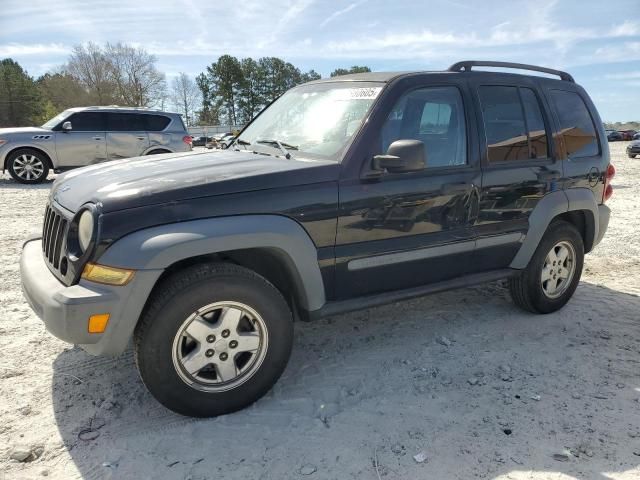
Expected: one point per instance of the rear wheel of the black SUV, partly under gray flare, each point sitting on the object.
(530, 292)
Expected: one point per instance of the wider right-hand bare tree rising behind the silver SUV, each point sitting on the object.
(139, 83)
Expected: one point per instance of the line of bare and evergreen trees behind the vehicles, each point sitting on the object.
(230, 90)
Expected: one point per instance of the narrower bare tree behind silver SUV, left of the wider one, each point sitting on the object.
(91, 67)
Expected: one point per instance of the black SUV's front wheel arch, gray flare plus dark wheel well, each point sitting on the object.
(276, 247)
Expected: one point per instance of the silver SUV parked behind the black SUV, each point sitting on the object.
(87, 135)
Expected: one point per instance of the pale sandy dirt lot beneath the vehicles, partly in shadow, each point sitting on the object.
(504, 394)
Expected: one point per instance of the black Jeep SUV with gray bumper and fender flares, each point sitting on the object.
(343, 194)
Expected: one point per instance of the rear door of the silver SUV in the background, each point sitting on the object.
(126, 135)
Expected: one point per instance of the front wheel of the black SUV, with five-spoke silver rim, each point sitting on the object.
(165, 351)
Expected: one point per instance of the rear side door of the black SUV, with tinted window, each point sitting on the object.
(519, 167)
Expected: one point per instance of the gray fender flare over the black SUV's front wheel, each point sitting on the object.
(159, 247)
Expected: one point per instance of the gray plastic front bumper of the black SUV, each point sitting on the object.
(66, 310)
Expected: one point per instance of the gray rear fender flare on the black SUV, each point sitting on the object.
(552, 205)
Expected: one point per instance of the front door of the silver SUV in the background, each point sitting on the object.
(85, 143)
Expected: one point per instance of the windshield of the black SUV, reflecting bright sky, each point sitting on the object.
(314, 121)
